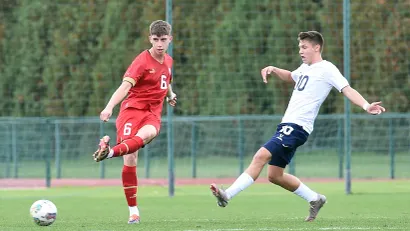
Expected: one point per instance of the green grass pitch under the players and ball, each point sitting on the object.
(372, 206)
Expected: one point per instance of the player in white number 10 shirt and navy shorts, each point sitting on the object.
(313, 81)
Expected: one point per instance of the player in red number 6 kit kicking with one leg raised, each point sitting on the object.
(146, 84)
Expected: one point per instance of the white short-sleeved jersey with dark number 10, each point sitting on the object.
(313, 84)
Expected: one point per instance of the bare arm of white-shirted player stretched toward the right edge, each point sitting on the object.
(355, 97)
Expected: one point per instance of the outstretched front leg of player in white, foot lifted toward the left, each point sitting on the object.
(246, 179)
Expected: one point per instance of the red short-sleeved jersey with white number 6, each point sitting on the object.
(150, 80)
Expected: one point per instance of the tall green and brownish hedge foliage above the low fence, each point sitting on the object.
(66, 57)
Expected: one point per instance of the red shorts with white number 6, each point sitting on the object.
(130, 120)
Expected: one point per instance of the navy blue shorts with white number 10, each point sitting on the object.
(283, 144)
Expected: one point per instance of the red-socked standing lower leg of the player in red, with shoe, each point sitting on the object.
(130, 184)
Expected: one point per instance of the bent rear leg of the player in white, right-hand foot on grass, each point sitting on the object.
(291, 183)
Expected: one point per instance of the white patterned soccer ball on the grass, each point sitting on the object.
(44, 212)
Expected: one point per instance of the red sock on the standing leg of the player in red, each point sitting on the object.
(130, 183)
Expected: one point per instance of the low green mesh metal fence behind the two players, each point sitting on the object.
(219, 146)
